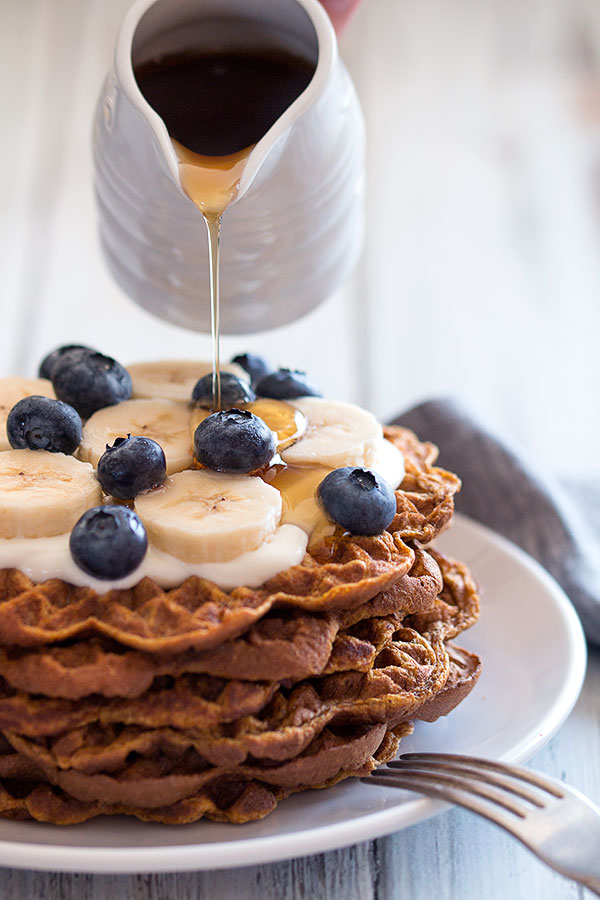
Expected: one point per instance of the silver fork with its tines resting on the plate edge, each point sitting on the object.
(556, 822)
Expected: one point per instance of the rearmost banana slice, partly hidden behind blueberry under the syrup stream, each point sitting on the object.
(173, 379)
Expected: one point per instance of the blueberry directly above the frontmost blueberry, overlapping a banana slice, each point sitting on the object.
(132, 465)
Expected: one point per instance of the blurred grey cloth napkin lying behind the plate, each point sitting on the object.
(556, 523)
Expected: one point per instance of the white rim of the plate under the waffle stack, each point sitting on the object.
(274, 848)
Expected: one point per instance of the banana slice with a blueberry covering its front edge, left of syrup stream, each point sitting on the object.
(165, 422)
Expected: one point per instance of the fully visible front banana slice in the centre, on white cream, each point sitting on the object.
(202, 516)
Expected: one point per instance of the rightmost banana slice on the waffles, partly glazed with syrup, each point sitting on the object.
(337, 434)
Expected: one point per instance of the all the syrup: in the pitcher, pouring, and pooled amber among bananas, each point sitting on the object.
(216, 107)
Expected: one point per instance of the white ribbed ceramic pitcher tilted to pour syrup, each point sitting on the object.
(294, 231)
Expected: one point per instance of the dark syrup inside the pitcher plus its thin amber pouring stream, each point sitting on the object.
(216, 107)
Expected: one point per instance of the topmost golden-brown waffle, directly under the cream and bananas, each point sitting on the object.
(338, 572)
